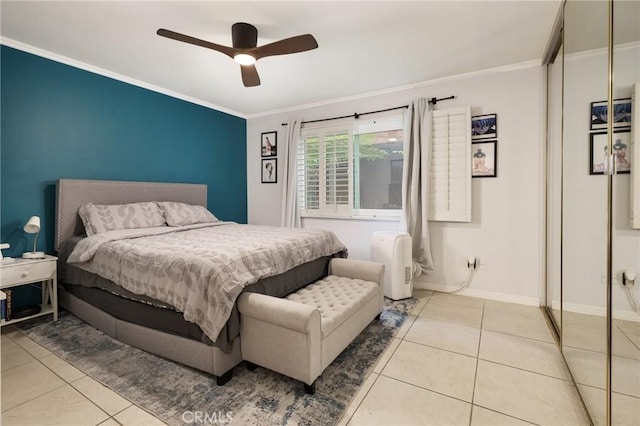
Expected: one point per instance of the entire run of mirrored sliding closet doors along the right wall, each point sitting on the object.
(593, 248)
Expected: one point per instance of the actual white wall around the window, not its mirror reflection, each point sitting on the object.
(507, 227)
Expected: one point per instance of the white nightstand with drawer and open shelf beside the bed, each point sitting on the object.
(28, 271)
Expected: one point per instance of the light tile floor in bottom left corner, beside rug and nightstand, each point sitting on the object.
(38, 388)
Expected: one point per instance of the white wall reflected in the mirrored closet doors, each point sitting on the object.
(585, 196)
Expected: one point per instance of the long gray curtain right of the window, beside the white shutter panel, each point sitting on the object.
(415, 183)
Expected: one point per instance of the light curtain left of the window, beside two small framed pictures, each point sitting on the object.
(290, 216)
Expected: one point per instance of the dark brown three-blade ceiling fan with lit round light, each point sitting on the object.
(245, 50)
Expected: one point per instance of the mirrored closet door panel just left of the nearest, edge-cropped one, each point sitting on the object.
(585, 206)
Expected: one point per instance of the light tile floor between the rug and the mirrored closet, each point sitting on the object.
(459, 360)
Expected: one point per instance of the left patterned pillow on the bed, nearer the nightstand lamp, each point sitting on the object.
(102, 218)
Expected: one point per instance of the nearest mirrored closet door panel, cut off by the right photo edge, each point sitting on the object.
(625, 333)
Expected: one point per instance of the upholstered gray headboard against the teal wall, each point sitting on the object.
(72, 193)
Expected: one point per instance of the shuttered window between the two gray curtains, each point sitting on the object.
(353, 169)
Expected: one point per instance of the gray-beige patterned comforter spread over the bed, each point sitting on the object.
(200, 269)
